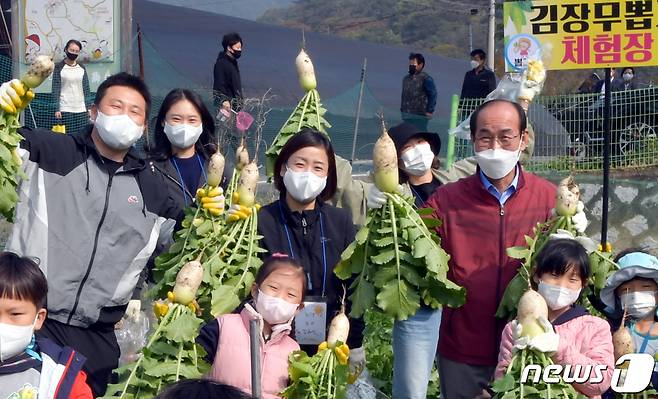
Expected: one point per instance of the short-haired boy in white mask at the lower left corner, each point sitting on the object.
(29, 366)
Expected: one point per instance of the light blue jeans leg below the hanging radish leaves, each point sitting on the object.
(414, 349)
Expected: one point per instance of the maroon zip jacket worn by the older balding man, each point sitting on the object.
(476, 231)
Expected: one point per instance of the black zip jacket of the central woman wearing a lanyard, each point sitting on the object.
(305, 238)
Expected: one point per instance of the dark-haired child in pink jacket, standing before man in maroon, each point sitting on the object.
(579, 339)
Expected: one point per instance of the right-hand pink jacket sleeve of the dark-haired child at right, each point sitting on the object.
(597, 340)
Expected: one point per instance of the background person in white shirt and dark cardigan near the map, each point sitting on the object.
(71, 92)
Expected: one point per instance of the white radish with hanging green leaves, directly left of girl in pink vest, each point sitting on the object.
(171, 353)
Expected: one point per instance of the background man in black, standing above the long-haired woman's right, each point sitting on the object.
(227, 86)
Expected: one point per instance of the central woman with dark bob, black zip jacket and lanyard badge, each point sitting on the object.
(302, 225)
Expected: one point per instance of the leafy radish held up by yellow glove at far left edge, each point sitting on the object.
(18, 96)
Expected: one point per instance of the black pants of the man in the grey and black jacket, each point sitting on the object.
(98, 345)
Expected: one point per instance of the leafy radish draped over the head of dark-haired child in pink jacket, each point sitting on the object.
(560, 226)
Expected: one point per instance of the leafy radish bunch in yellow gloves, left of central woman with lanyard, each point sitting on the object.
(226, 247)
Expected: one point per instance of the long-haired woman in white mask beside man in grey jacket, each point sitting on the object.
(182, 146)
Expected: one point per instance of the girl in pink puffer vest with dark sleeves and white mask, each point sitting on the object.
(277, 295)
